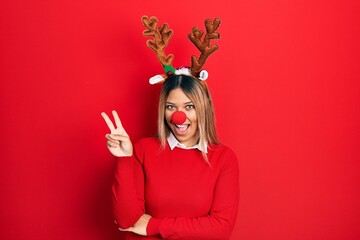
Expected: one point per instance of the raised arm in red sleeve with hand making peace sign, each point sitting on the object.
(128, 186)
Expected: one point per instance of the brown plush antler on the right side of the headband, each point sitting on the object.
(204, 47)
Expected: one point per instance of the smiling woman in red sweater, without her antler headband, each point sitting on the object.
(183, 184)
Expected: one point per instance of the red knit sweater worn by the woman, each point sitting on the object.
(186, 197)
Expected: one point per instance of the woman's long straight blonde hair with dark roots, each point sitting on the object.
(199, 95)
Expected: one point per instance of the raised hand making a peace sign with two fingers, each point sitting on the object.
(118, 142)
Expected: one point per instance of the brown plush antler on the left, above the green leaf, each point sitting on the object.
(161, 36)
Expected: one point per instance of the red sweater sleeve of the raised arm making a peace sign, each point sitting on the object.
(128, 190)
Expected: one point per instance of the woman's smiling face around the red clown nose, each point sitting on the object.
(186, 133)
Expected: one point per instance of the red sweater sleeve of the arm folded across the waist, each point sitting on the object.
(219, 222)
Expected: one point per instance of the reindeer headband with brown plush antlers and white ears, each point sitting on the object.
(162, 36)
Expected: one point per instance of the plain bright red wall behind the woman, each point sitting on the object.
(285, 83)
